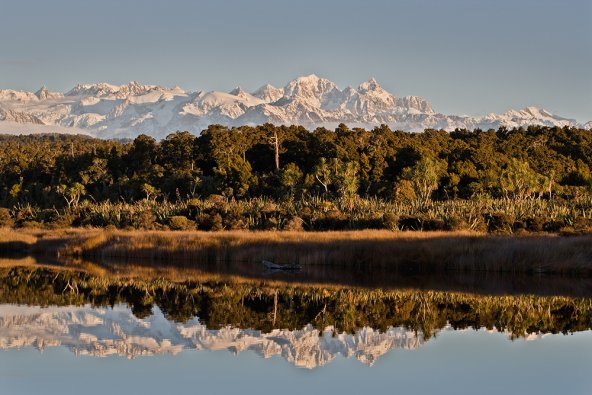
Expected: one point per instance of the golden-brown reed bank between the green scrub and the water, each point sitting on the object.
(408, 252)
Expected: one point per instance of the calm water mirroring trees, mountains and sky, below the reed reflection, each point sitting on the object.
(97, 336)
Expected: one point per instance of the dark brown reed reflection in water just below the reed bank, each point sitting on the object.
(485, 283)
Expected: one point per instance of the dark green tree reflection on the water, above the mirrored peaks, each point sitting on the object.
(267, 305)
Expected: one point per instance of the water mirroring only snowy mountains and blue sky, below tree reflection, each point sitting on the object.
(72, 350)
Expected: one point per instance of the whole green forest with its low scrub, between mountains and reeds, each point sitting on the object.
(287, 177)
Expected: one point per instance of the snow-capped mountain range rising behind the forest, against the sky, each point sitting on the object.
(107, 111)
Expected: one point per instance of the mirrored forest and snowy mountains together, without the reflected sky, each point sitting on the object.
(308, 325)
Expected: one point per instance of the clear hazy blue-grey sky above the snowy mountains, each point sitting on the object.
(465, 56)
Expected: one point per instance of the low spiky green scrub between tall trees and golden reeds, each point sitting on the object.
(496, 216)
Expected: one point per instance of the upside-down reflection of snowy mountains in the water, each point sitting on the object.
(116, 331)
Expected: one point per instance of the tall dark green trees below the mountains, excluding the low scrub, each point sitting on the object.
(287, 163)
